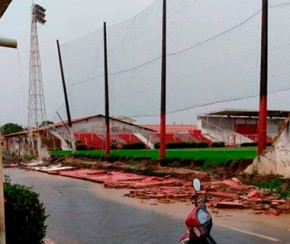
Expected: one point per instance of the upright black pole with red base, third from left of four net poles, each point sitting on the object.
(162, 151)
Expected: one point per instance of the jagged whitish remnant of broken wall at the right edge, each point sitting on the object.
(276, 160)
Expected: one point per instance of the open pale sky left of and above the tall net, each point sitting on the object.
(66, 20)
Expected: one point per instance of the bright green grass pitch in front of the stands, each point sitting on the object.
(207, 154)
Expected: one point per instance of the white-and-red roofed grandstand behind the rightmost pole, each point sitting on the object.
(236, 127)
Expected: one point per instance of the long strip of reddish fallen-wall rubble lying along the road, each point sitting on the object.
(229, 193)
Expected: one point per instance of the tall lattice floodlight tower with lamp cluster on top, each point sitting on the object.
(36, 104)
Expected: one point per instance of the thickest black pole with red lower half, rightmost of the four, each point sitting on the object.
(262, 134)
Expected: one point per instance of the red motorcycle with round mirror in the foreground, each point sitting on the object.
(198, 222)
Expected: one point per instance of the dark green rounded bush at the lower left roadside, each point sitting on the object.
(24, 215)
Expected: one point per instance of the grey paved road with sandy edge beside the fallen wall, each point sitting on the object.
(83, 213)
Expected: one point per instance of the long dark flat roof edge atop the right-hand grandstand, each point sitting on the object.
(249, 113)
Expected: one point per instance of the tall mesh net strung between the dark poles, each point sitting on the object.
(213, 58)
